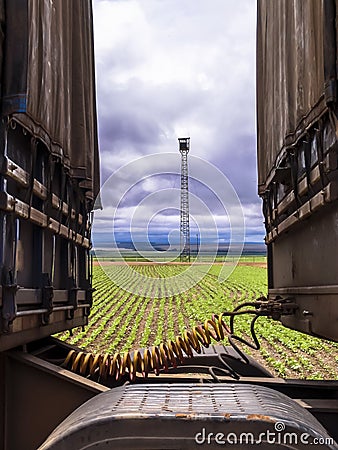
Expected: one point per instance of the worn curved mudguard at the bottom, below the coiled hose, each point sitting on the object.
(171, 416)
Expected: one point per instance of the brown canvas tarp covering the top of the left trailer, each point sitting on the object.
(48, 82)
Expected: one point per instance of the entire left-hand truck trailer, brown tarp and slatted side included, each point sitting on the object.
(49, 167)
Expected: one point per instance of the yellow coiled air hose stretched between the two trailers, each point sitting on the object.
(169, 354)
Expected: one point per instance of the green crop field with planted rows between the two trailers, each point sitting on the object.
(147, 315)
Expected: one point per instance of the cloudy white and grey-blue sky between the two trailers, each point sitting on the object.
(167, 69)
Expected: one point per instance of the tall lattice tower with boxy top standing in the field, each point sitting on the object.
(184, 145)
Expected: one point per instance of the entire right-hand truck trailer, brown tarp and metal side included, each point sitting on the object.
(297, 157)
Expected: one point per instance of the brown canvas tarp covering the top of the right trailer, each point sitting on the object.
(290, 75)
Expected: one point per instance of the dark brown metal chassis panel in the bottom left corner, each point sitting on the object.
(35, 396)
